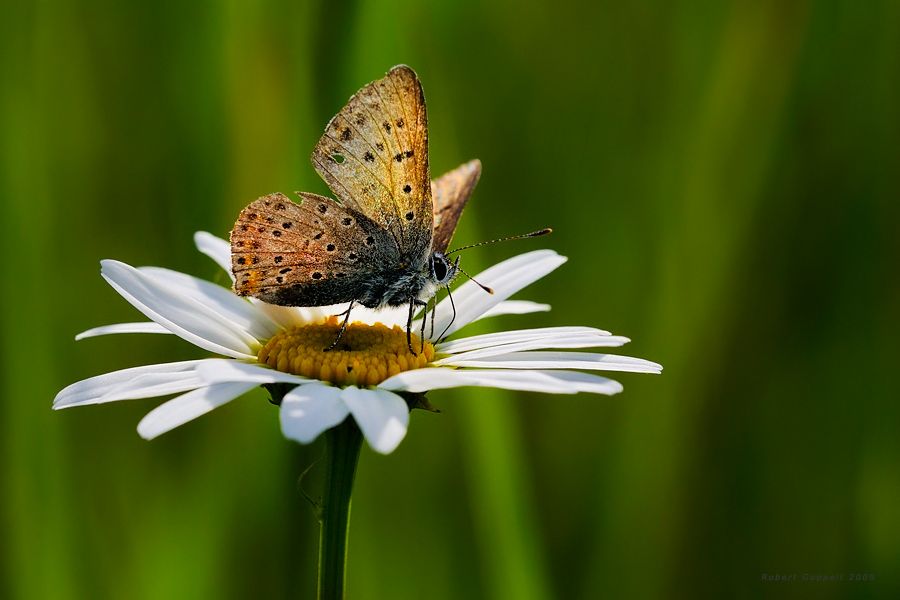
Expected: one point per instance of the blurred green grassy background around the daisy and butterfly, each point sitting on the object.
(722, 175)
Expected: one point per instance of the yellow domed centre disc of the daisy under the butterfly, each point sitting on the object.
(366, 354)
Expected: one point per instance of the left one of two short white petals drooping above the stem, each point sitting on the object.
(309, 410)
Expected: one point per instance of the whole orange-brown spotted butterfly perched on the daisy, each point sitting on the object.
(383, 242)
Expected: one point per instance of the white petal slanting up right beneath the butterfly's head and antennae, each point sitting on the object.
(505, 279)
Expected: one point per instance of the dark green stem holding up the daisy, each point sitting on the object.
(342, 445)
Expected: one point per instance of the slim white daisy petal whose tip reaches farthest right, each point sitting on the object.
(559, 360)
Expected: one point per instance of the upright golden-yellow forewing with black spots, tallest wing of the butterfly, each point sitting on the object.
(374, 156)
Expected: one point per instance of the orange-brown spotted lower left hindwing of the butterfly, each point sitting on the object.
(312, 254)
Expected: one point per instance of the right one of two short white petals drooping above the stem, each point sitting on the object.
(382, 416)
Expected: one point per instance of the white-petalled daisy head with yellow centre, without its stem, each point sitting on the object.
(364, 376)
